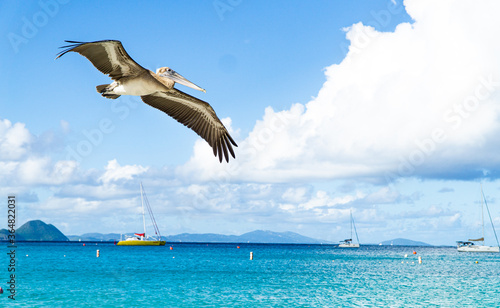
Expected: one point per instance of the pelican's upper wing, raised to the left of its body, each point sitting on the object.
(109, 57)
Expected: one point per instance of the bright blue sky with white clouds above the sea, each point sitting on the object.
(386, 109)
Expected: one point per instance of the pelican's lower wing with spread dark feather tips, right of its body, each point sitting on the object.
(197, 115)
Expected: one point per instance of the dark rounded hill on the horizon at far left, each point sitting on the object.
(37, 230)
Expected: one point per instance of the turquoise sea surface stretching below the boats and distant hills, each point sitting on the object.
(222, 275)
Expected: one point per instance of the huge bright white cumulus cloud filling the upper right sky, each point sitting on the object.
(423, 100)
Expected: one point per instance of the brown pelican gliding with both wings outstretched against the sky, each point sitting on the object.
(155, 89)
